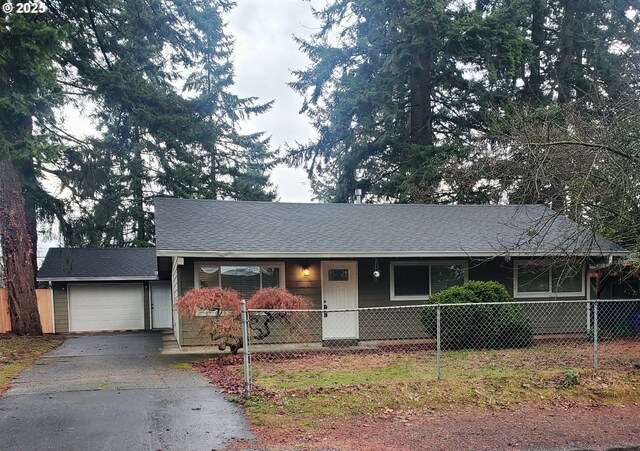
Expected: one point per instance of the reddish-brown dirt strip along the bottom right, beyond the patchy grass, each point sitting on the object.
(524, 428)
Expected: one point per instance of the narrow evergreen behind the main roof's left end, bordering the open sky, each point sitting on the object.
(235, 164)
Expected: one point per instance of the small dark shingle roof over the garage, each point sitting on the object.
(99, 264)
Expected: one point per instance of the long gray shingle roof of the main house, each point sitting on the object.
(235, 229)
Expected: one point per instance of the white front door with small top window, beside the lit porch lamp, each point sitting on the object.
(339, 291)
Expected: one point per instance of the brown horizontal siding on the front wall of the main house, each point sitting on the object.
(393, 323)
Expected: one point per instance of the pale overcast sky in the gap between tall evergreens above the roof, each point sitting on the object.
(264, 55)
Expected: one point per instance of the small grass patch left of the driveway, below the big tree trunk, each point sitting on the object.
(17, 353)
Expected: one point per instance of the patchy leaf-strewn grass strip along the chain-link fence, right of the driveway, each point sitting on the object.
(318, 387)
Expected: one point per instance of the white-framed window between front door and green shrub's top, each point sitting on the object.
(415, 281)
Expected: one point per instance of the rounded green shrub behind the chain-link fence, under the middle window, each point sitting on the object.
(478, 326)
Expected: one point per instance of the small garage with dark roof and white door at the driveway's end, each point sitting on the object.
(96, 290)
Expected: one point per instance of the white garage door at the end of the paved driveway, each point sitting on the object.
(106, 307)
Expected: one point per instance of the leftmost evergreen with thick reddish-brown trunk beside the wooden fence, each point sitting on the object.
(28, 92)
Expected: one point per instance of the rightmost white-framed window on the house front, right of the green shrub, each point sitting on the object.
(537, 279)
